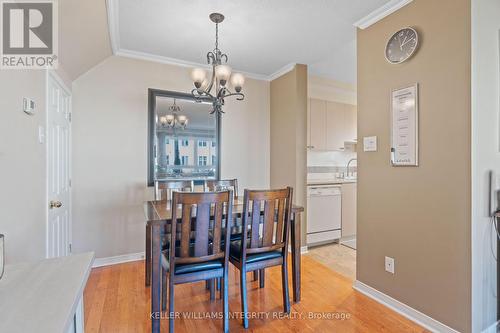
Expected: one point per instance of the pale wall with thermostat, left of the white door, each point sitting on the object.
(22, 166)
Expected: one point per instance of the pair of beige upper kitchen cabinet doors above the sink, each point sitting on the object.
(330, 125)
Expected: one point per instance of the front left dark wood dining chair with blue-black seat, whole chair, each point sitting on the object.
(194, 255)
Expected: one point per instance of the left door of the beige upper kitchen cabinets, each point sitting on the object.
(317, 125)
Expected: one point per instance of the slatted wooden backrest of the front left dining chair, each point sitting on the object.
(201, 217)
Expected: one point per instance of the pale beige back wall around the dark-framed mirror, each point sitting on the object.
(110, 148)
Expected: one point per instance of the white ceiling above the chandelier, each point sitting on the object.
(259, 36)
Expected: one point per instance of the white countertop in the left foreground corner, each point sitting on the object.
(43, 296)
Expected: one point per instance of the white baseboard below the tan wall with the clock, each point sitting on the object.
(403, 309)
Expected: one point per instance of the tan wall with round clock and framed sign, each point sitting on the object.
(419, 215)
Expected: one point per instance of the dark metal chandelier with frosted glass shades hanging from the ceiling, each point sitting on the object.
(221, 74)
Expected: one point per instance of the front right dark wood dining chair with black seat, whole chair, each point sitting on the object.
(265, 246)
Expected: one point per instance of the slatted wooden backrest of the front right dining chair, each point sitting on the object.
(275, 223)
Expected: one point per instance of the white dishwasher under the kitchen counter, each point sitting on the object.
(324, 213)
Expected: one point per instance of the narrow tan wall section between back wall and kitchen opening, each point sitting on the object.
(289, 134)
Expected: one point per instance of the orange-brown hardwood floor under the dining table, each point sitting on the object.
(116, 300)
